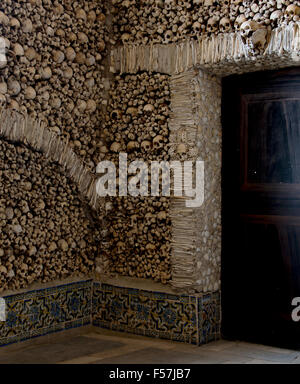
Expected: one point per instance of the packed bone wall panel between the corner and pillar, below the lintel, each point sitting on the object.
(137, 242)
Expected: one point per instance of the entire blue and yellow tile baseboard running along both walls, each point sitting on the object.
(186, 318)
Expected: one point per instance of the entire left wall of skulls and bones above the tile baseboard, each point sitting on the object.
(55, 71)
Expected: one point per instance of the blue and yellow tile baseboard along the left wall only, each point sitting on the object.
(44, 311)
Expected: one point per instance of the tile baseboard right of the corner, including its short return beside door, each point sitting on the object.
(185, 318)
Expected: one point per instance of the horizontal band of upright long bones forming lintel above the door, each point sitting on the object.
(222, 54)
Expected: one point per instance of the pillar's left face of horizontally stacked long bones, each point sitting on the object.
(184, 225)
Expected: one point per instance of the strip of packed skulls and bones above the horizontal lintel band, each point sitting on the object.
(169, 21)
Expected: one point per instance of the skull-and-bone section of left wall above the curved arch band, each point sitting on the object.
(54, 69)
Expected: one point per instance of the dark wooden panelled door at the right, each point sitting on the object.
(261, 207)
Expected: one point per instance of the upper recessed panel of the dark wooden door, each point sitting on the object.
(278, 159)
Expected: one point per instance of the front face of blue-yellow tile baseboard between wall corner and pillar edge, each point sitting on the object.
(145, 312)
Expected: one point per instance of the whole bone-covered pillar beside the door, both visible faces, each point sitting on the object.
(195, 121)
